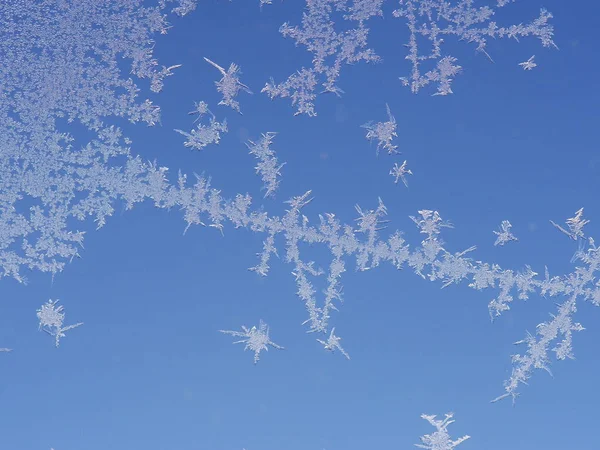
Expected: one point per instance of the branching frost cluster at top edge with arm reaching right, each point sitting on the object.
(434, 20)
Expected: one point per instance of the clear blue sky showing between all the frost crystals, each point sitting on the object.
(149, 370)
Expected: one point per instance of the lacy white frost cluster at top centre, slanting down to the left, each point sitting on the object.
(331, 49)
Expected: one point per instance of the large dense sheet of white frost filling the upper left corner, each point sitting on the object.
(63, 63)
